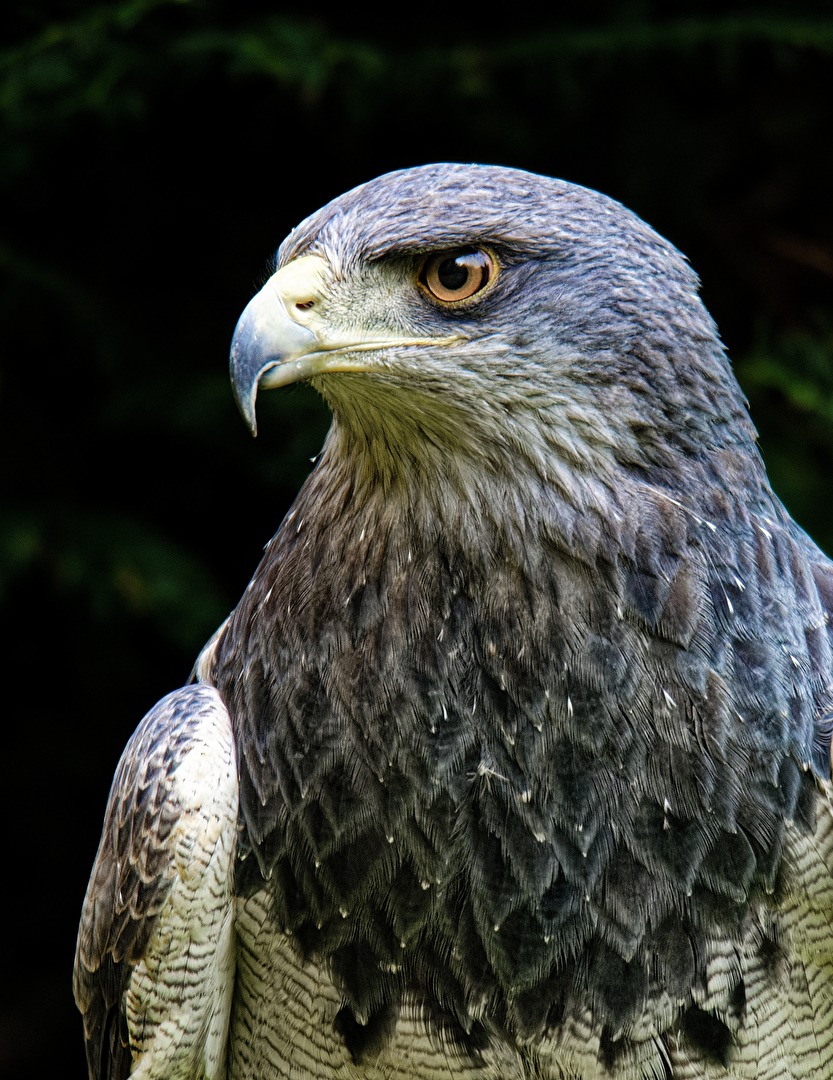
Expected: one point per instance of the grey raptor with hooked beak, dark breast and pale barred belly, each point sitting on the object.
(514, 760)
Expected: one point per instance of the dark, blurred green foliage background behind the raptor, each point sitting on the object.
(153, 156)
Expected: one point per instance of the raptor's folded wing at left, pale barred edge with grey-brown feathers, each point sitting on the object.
(154, 967)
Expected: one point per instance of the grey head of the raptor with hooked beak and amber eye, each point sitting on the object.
(487, 315)
